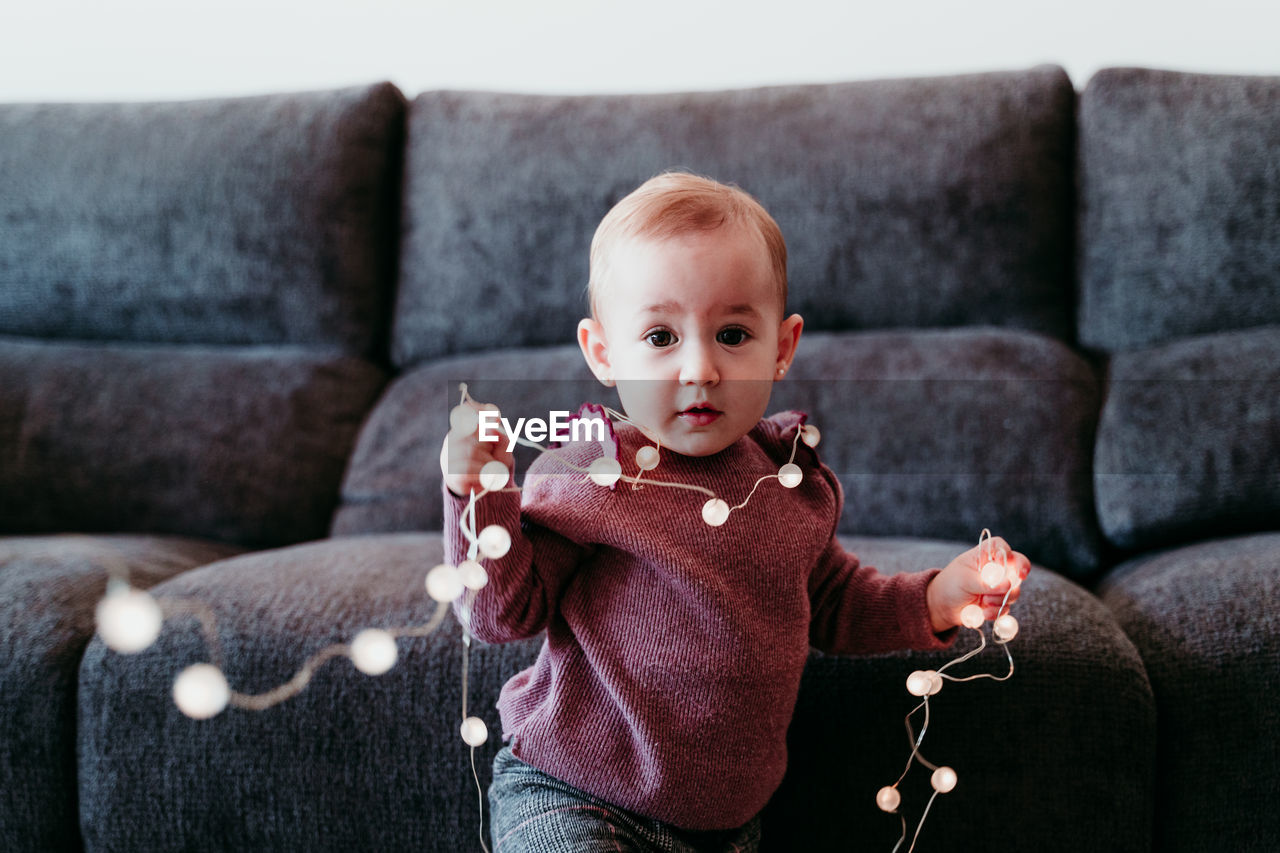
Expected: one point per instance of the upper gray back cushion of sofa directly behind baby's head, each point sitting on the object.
(906, 203)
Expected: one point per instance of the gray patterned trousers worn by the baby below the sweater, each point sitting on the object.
(533, 813)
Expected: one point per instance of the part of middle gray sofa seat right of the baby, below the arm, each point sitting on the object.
(1059, 758)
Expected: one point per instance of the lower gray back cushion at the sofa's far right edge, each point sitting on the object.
(1190, 440)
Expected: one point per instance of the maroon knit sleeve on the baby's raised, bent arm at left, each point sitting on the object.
(547, 546)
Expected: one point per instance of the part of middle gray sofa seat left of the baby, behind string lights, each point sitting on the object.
(354, 763)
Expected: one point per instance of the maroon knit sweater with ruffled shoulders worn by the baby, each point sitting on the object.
(674, 650)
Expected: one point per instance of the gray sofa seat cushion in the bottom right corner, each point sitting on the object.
(1205, 621)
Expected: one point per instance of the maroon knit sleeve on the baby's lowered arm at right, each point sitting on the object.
(857, 610)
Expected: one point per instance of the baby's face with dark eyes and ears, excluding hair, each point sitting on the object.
(692, 331)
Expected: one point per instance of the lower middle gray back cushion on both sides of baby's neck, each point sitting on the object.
(934, 434)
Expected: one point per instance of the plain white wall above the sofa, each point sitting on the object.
(177, 49)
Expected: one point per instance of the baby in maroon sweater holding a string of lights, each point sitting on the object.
(657, 713)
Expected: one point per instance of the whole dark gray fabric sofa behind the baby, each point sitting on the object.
(231, 332)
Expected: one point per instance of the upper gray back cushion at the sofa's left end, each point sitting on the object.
(266, 220)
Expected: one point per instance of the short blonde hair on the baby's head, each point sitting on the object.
(680, 203)
